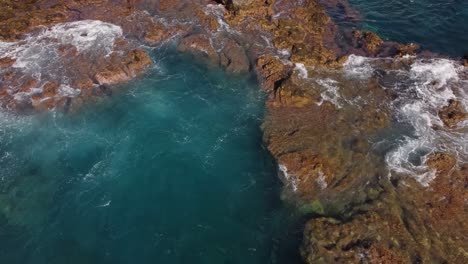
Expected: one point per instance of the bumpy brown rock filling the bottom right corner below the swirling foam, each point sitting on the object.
(406, 224)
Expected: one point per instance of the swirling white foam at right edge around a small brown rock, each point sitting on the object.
(430, 89)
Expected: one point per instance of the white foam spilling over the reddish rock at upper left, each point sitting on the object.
(38, 55)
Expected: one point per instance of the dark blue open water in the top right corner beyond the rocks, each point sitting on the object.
(437, 25)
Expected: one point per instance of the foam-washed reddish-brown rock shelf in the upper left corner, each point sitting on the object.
(91, 44)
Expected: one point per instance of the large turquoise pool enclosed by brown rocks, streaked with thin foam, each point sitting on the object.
(169, 170)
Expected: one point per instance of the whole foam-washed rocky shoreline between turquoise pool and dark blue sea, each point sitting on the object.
(329, 108)
